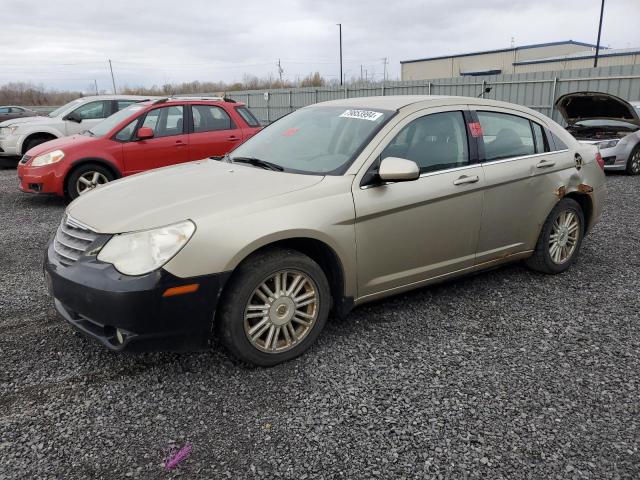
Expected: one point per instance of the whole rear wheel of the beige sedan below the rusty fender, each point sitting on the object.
(546, 258)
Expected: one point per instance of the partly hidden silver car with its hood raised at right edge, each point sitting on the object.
(608, 122)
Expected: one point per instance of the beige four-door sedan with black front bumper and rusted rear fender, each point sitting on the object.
(332, 206)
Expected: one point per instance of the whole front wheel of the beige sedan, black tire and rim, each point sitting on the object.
(278, 328)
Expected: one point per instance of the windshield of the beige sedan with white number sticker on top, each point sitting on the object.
(317, 140)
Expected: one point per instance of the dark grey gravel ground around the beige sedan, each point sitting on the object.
(504, 375)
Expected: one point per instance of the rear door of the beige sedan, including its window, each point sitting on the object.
(522, 177)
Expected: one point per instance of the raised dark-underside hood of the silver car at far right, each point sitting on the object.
(594, 106)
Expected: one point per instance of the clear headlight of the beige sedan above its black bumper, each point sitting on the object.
(138, 253)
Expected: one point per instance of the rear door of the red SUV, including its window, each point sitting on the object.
(212, 132)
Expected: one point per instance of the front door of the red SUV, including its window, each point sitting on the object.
(169, 145)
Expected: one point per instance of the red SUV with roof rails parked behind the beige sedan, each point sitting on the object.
(143, 136)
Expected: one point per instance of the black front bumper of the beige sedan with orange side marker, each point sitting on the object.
(130, 312)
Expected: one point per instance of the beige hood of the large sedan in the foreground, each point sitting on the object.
(193, 190)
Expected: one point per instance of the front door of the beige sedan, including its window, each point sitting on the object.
(409, 232)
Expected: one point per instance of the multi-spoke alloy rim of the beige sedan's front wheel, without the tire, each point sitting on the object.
(281, 311)
